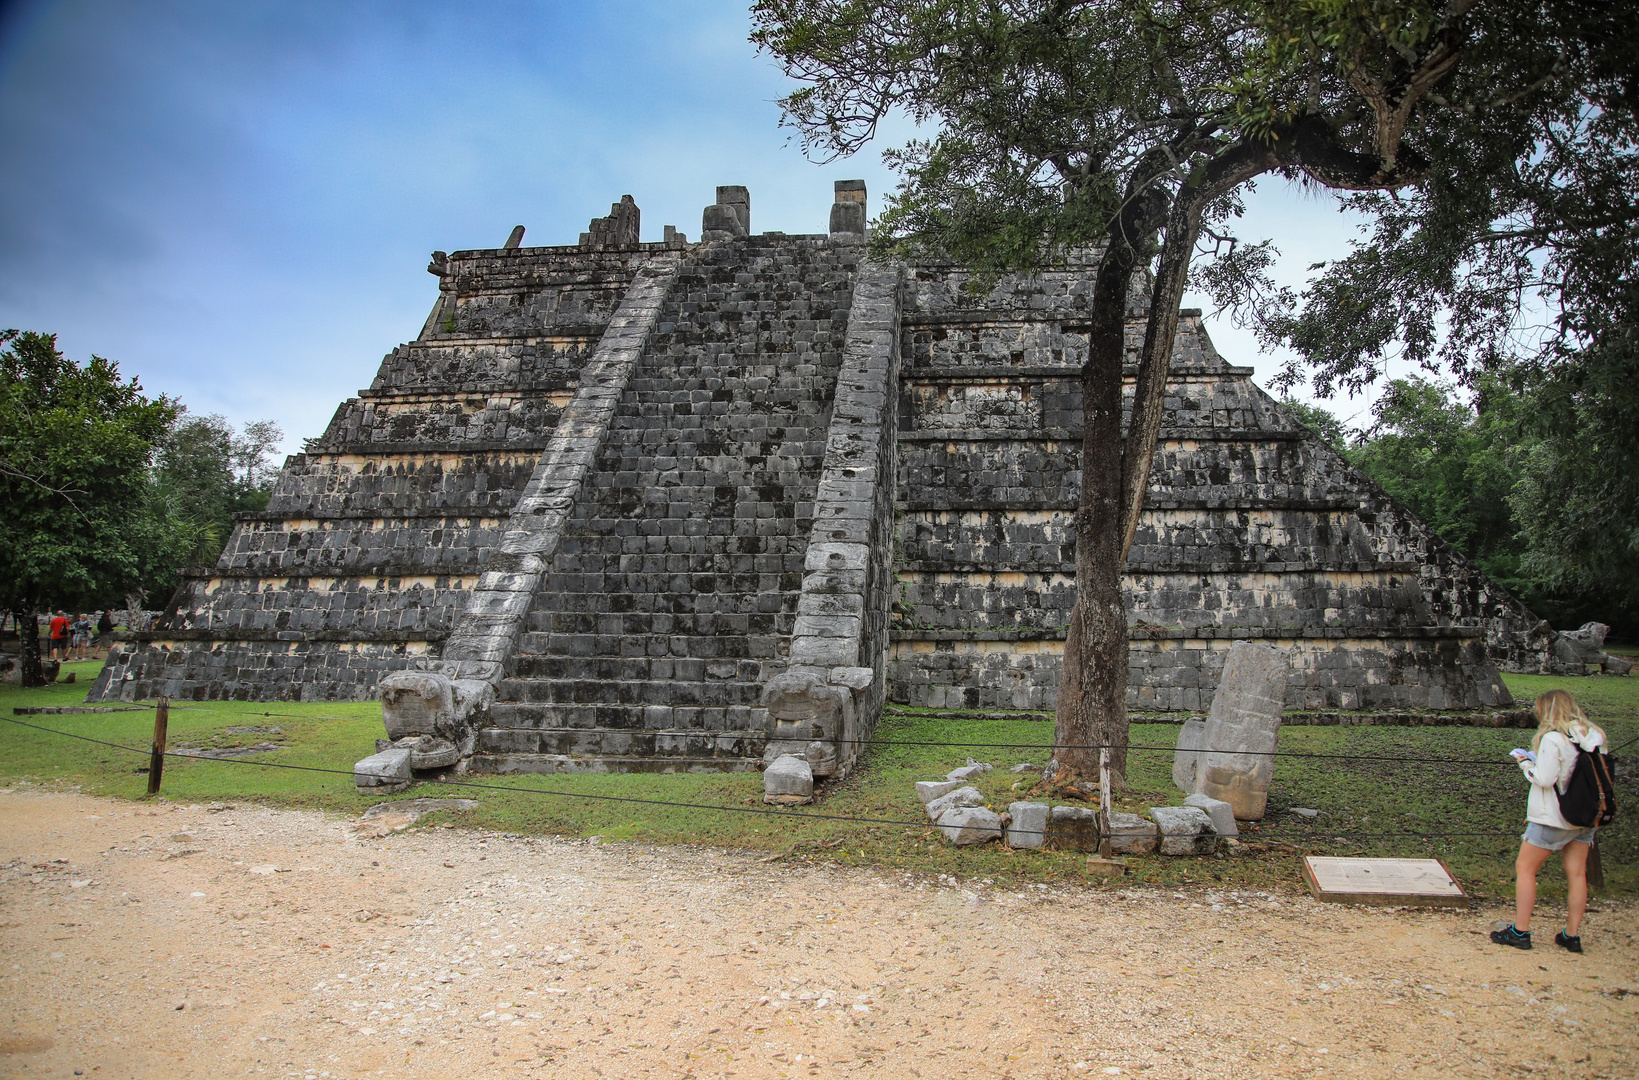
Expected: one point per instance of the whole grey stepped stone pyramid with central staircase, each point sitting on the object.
(671, 506)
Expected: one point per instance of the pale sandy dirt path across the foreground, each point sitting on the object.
(179, 942)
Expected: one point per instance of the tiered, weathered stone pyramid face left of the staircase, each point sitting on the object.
(376, 533)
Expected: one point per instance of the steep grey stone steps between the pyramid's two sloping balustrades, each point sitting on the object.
(674, 591)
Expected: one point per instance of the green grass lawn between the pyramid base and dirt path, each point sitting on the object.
(1361, 797)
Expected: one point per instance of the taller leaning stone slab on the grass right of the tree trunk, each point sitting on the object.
(1242, 730)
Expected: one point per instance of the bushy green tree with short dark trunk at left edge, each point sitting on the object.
(76, 445)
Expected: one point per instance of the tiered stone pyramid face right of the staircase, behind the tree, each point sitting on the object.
(1253, 529)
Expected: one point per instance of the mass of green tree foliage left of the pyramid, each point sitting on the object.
(109, 491)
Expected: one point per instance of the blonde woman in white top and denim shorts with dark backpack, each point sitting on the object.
(1563, 732)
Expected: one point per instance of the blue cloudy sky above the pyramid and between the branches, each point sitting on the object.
(237, 201)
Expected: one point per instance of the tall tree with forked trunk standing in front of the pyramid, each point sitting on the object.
(1128, 127)
